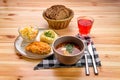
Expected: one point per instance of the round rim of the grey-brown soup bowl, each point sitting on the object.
(81, 51)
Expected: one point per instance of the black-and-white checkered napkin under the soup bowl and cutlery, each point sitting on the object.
(52, 62)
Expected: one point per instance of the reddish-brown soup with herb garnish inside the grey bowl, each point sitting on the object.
(68, 48)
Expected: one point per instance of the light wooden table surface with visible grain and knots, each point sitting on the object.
(105, 33)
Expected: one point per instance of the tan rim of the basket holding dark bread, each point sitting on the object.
(70, 17)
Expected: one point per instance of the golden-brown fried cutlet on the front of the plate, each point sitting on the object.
(38, 48)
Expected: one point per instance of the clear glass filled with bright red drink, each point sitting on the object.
(85, 24)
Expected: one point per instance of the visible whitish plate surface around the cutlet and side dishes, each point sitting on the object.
(20, 47)
